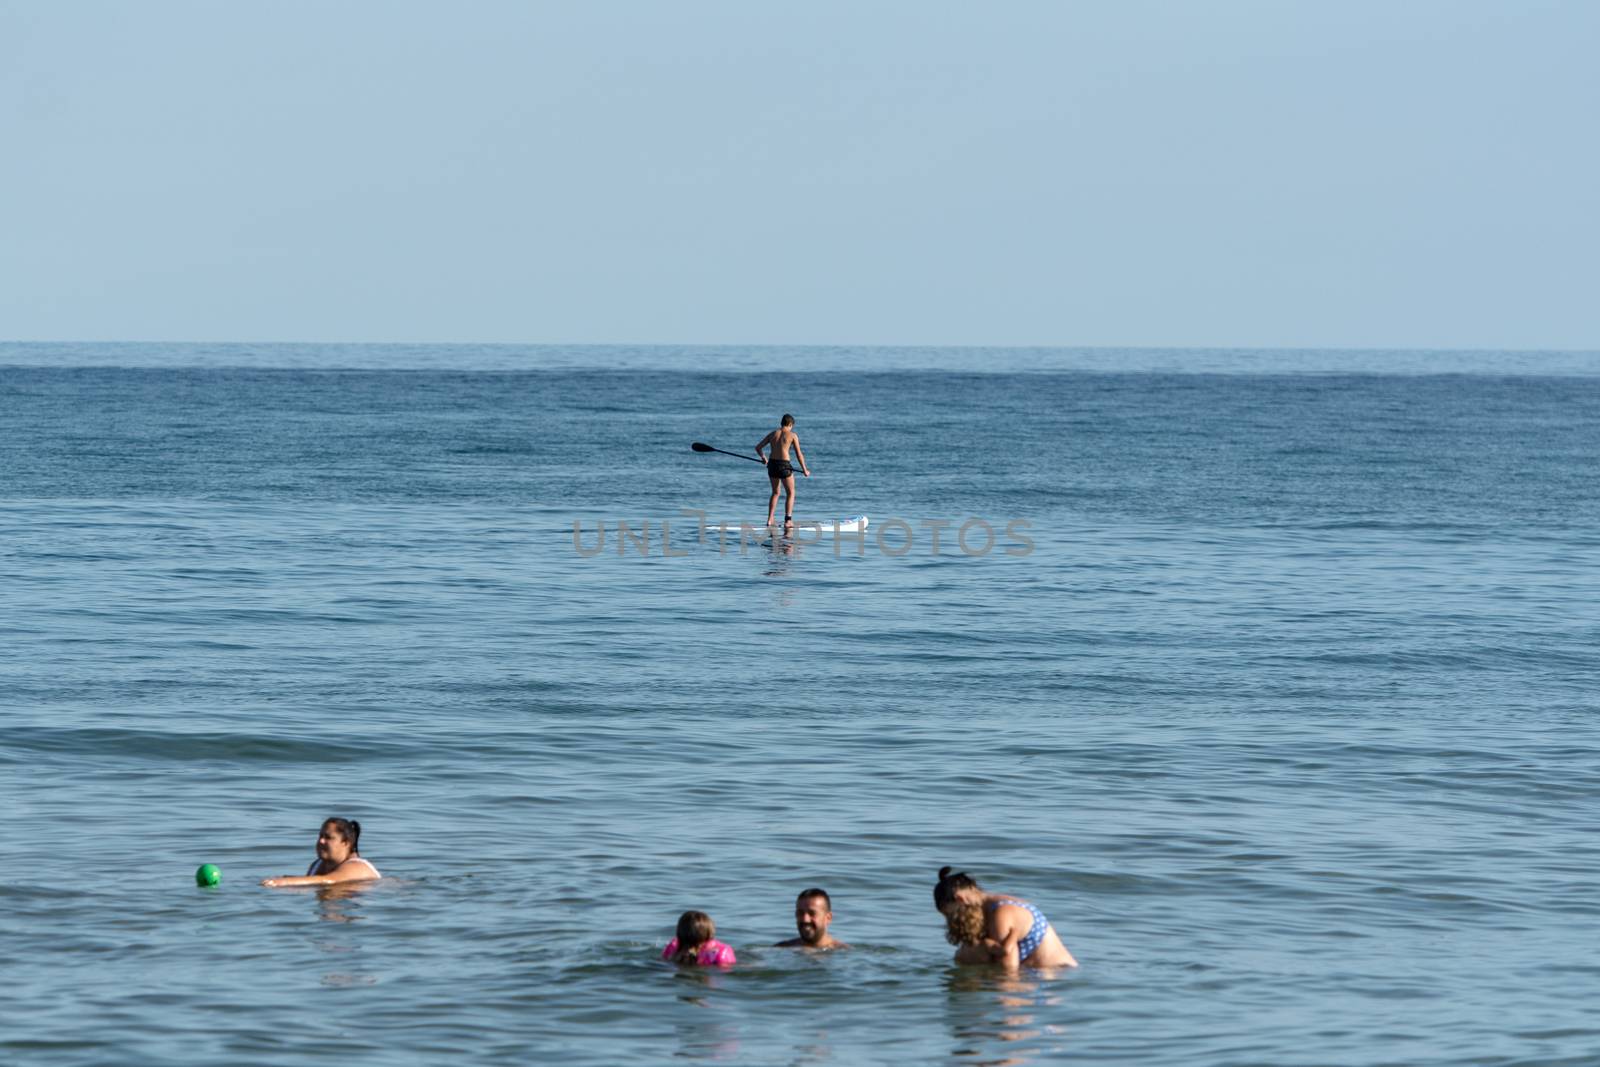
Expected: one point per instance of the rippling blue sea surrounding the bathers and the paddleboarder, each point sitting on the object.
(1270, 676)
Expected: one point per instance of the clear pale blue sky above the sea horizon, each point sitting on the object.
(1124, 174)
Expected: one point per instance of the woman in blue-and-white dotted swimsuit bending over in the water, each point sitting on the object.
(994, 927)
